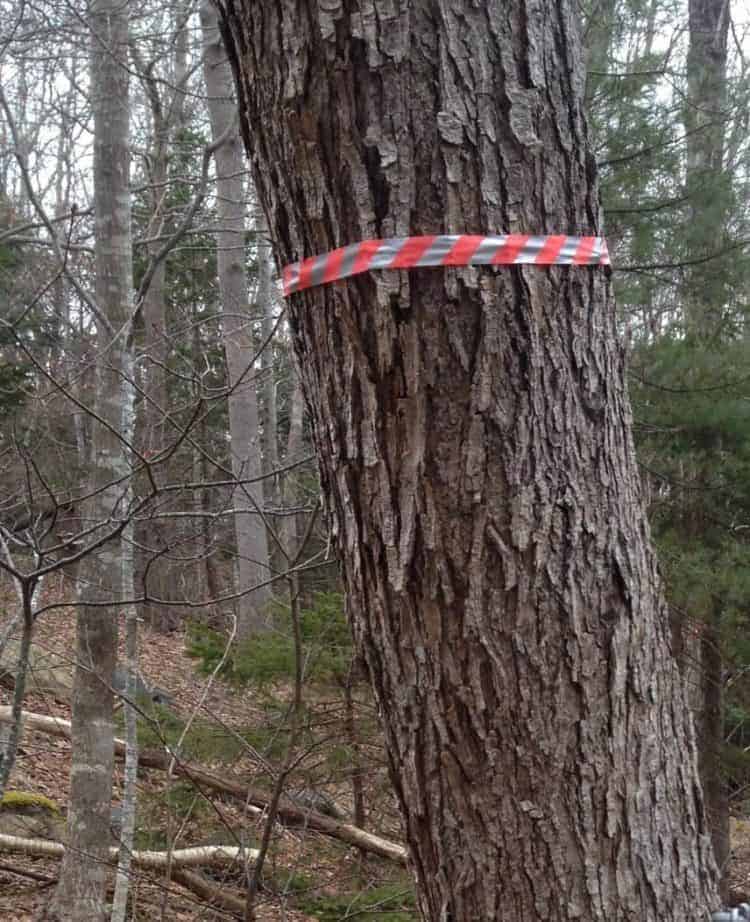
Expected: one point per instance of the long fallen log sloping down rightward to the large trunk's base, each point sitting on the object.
(288, 813)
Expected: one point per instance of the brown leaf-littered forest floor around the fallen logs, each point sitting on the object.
(303, 869)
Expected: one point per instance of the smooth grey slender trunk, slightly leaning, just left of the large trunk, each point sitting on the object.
(252, 542)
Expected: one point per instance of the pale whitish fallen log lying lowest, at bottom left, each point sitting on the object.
(199, 856)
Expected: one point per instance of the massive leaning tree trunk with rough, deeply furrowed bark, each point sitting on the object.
(473, 434)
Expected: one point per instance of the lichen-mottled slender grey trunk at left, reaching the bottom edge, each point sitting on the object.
(80, 895)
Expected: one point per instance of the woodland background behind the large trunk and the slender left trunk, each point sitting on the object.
(248, 701)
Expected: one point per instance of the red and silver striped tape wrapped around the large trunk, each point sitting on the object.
(444, 250)
